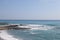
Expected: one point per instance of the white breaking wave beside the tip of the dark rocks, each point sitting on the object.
(36, 27)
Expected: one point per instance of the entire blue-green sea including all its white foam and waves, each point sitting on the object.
(40, 30)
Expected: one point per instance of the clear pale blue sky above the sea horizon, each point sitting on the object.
(30, 9)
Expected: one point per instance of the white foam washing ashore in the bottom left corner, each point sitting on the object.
(6, 36)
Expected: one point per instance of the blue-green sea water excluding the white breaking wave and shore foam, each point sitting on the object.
(49, 34)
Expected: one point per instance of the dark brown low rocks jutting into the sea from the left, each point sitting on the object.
(14, 26)
